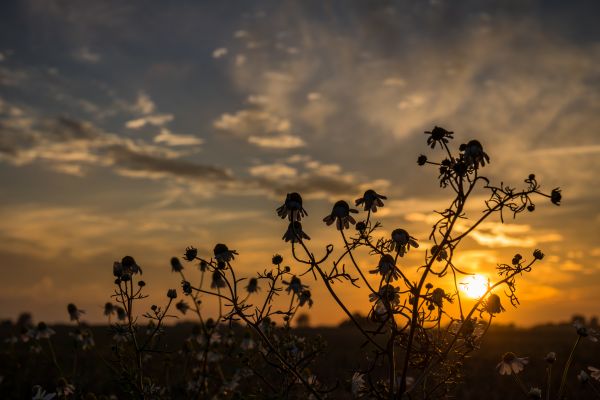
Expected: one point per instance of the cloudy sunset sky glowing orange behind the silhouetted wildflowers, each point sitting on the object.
(143, 127)
